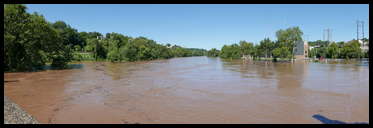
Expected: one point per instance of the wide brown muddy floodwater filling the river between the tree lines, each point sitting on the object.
(194, 90)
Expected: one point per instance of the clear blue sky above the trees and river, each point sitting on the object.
(210, 25)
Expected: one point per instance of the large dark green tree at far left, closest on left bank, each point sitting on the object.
(29, 40)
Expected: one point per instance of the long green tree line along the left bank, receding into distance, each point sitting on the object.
(30, 42)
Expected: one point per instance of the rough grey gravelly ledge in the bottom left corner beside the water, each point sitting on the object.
(13, 114)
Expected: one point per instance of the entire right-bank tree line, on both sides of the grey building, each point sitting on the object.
(283, 48)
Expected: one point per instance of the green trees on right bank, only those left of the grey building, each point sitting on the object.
(282, 48)
